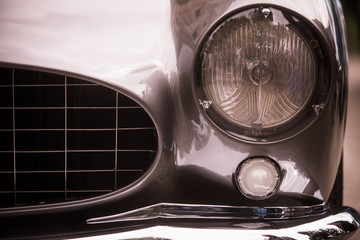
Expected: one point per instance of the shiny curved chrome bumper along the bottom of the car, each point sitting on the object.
(339, 225)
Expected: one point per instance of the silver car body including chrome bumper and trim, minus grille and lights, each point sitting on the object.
(147, 50)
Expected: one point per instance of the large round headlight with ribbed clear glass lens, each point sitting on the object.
(259, 71)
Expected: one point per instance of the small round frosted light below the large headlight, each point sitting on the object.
(258, 178)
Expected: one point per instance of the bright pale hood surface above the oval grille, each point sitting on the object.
(103, 40)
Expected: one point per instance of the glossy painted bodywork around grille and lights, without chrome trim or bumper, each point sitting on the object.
(147, 49)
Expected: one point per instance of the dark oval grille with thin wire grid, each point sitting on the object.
(65, 139)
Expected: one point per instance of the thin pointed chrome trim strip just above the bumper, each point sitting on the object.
(173, 210)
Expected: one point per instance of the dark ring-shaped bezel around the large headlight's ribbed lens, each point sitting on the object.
(311, 109)
